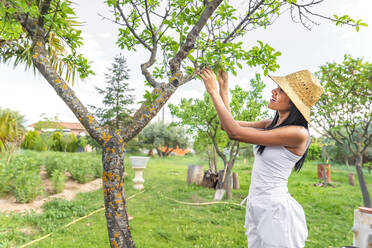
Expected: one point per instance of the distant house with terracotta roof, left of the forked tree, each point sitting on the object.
(66, 127)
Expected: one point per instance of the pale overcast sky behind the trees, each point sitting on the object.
(32, 96)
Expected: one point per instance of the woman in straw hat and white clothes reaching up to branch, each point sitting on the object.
(273, 217)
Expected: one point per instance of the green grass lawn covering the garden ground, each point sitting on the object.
(160, 222)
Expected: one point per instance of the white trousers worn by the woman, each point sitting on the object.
(275, 221)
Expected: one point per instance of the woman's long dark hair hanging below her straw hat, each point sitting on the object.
(294, 118)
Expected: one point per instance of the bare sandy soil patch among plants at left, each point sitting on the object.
(8, 203)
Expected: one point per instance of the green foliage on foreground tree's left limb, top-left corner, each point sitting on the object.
(59, 27)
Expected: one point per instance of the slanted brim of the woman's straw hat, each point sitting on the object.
(284, 84)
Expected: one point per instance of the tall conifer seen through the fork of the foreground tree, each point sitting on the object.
(116, 98)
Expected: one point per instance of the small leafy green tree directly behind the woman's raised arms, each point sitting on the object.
(200, 116)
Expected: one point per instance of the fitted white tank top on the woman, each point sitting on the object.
(271, 170)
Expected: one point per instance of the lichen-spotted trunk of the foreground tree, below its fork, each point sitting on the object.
(114, 195)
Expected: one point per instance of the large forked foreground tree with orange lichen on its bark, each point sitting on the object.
(43, 35)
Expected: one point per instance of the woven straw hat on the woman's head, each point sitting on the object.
(303, 88)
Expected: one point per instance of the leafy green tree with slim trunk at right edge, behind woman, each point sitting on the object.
(343, 113)
